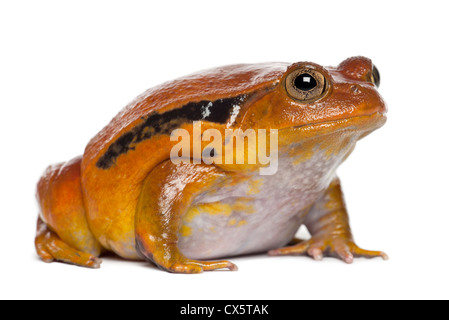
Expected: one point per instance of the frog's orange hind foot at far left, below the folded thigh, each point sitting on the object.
(51, 248)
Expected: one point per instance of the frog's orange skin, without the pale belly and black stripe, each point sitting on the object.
(125, 203)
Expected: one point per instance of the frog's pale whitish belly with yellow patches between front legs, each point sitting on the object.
(257, 215)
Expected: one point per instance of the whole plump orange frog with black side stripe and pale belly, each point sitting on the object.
(126, 196)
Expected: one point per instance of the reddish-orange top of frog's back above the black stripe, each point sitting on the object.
(209, 85)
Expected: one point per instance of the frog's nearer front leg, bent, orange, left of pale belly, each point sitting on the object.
(167, 194)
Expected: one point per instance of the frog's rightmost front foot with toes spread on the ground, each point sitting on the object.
(318, 247)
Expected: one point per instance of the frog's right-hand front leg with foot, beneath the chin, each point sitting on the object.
(328, 224)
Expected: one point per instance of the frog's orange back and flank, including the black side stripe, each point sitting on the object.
(119, 157)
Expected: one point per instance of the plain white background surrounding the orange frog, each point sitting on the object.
(67, 67)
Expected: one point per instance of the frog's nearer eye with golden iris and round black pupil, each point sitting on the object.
(306, 84)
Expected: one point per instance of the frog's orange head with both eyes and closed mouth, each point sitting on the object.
(323, 100)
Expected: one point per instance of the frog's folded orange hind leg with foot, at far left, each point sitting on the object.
(63, 233)
